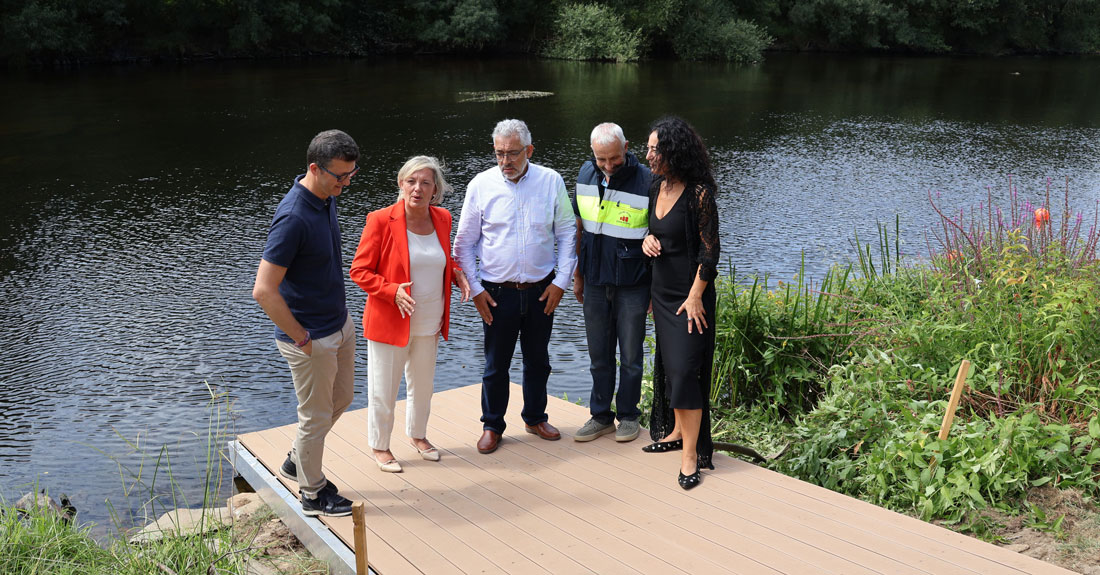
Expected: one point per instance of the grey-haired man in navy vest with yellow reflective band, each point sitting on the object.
(612, 279)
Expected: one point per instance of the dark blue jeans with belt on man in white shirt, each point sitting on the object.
(519, 315)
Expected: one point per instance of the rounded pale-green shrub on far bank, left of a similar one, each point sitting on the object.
(592, 32)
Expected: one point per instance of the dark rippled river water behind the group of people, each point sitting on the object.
(137, 202)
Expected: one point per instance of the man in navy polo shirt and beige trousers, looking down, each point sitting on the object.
(300, 285)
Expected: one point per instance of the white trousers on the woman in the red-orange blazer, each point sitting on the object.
(387, 364)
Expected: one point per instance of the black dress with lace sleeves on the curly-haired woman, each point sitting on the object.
(689, 236)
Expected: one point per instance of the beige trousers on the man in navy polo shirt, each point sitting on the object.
(325, 383)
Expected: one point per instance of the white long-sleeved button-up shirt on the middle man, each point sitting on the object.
(512, 229)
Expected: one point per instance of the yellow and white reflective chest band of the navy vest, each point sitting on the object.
(619, 215)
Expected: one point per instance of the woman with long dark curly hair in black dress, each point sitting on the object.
(684, 242)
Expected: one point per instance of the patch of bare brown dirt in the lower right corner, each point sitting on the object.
(1074, 544)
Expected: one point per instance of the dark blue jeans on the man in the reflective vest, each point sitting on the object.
(615, 315)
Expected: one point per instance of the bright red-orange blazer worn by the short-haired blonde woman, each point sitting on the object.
(382, 263)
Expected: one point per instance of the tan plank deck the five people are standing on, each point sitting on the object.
(563, 507)
